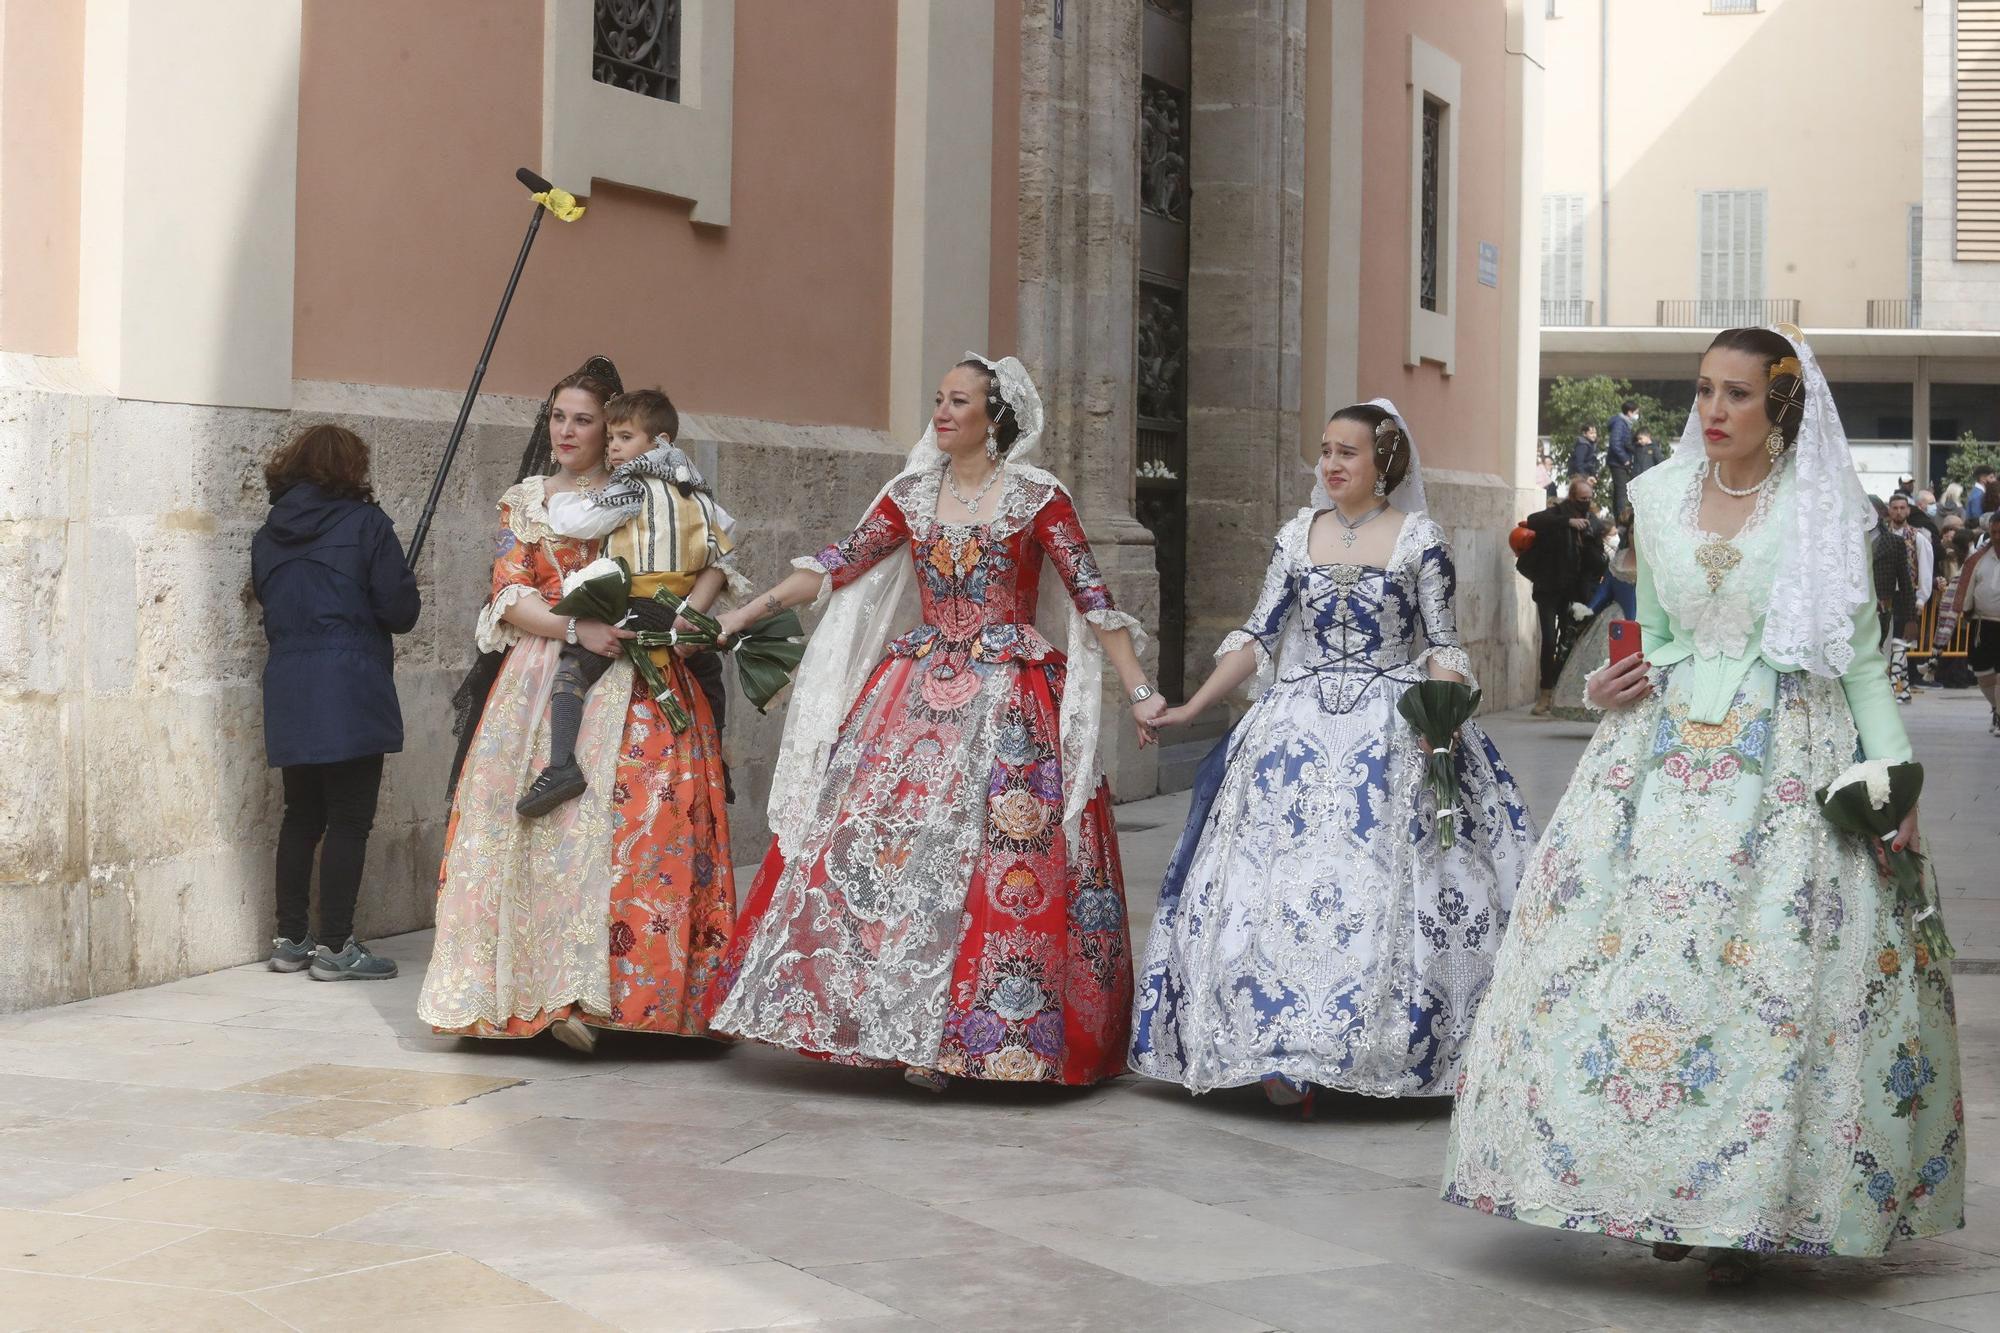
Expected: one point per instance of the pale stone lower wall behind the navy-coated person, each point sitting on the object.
(139, 826)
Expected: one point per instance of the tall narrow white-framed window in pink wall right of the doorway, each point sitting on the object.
(1435, 107)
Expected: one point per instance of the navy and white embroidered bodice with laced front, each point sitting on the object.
(1349, 625)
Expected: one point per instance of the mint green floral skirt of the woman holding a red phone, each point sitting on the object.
(1709, 1020)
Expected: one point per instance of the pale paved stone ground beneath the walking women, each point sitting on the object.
(259, 1152)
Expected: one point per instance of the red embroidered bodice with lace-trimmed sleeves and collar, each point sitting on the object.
(977, 583)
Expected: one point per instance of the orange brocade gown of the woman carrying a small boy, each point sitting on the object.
(615, 908)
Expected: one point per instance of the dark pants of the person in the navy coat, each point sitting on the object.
(333, 804)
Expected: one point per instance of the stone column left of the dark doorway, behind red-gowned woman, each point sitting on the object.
(1079, 299)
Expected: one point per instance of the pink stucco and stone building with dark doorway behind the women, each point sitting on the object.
(1201, 223)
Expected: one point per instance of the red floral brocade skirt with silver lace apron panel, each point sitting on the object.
(939, 914)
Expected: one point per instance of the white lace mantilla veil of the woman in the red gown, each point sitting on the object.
(865, 615)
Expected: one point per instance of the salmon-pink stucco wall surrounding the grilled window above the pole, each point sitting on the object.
(413, 119)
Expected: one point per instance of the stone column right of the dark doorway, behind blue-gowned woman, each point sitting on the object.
(1249, 167)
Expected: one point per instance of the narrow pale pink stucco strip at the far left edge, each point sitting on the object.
(41, 173)
